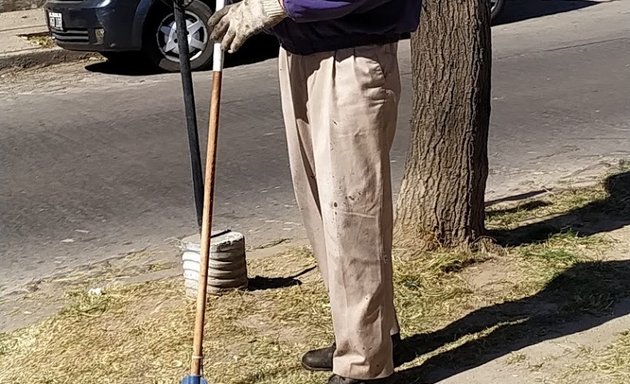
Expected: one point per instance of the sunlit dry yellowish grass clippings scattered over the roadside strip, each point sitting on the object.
(143, 333)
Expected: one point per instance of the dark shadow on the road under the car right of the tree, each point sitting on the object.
(518, 10)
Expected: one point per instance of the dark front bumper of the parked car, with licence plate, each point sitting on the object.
(94, 25)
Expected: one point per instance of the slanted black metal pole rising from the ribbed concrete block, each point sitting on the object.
(189, 105)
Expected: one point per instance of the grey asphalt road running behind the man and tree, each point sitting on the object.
(94, 163)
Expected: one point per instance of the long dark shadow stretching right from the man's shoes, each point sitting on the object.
(584, 296)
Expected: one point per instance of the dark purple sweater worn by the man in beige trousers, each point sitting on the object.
(327, 25)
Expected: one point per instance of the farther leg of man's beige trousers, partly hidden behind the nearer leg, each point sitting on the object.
(293, 89)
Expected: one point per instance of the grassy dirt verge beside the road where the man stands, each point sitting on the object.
(548, 302)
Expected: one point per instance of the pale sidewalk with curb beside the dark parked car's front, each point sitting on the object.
(16, 52)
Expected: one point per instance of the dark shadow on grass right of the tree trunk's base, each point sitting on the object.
(596, 217)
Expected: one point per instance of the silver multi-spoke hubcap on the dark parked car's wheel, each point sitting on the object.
(167, 37)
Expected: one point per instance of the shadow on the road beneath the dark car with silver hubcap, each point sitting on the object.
(258, 49)
